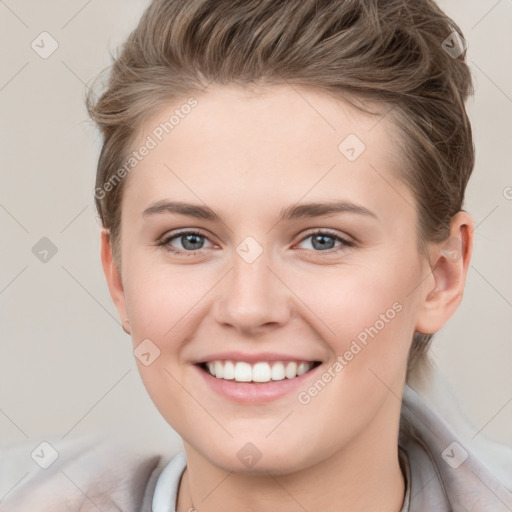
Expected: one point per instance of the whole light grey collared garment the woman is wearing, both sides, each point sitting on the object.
(92, 474)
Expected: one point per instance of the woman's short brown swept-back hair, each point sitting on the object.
(393, 53)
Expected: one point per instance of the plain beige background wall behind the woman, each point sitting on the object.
(66, 367)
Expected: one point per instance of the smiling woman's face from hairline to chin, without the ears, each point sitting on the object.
(245, 281)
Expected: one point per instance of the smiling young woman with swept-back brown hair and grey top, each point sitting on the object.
(281, 188)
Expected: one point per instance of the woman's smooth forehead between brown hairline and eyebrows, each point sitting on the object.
(278, 142)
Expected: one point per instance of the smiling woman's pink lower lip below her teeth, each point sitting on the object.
(254, 392)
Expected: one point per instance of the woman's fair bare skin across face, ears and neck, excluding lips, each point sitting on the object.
(247, 155)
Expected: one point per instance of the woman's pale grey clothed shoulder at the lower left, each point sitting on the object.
(79, 475)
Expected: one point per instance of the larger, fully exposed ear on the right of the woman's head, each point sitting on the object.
(449, 259)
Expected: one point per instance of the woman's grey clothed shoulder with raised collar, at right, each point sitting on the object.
(445, 466)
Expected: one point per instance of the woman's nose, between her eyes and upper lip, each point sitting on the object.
(253, 298)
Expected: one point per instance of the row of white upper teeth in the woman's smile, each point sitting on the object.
(258, 372)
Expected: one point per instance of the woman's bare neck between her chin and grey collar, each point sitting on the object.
(362, 476)
